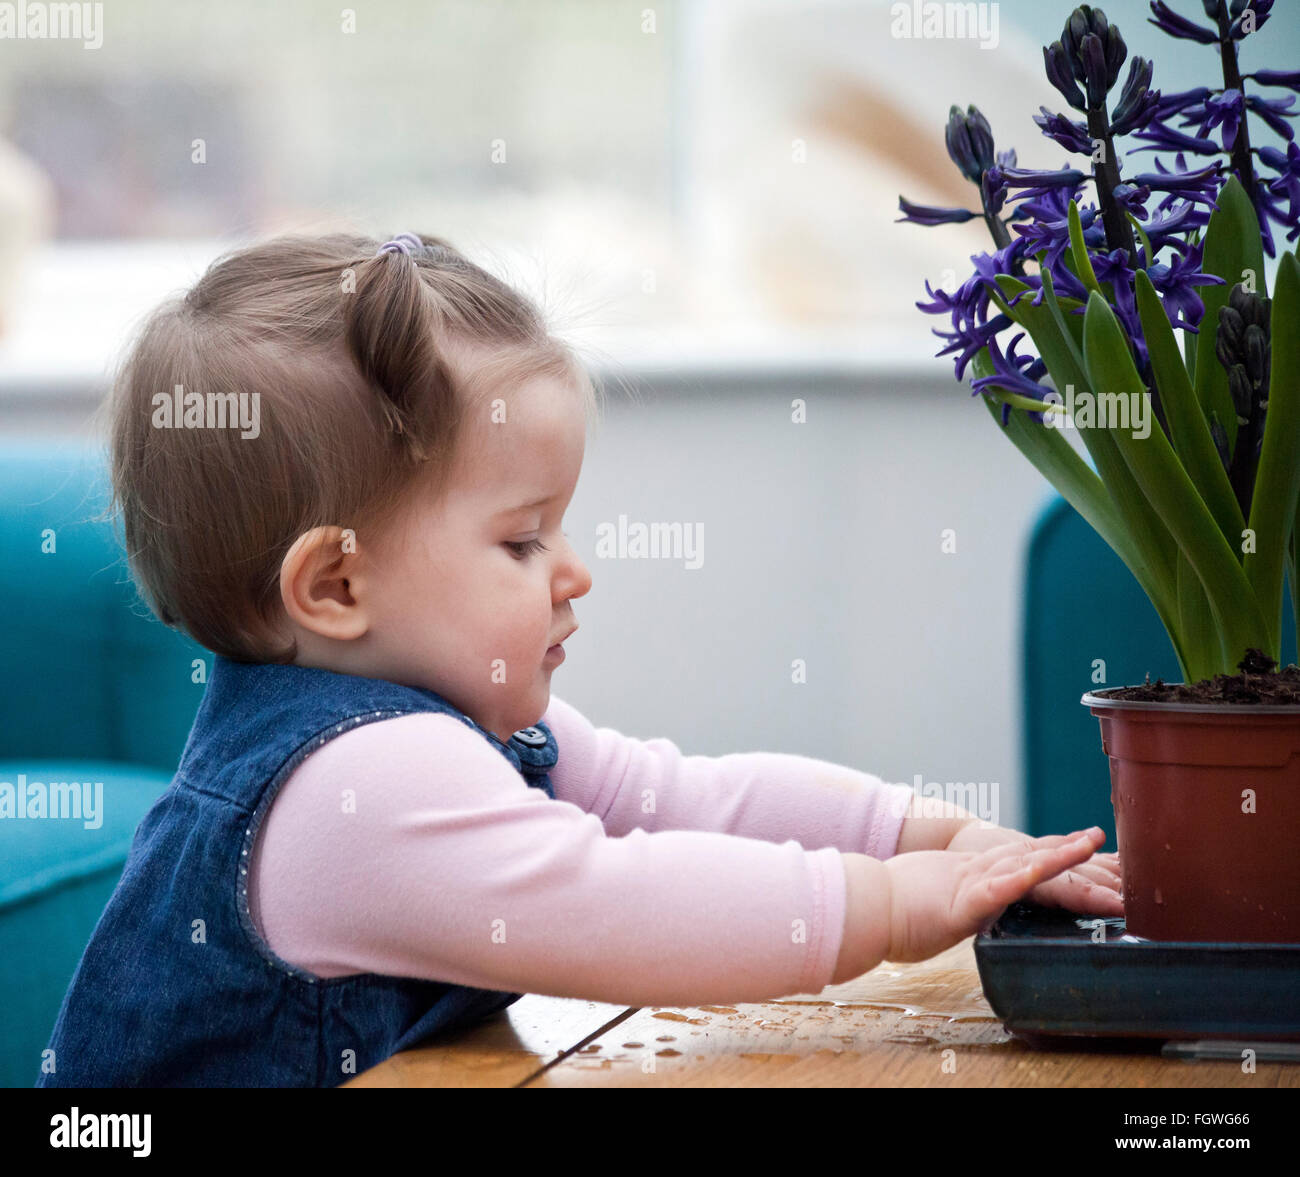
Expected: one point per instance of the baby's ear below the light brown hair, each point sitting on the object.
(318, 585)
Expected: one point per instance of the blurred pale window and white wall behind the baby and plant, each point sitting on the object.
(703, 196)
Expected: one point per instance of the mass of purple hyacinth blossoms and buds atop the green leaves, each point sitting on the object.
(1085, 67)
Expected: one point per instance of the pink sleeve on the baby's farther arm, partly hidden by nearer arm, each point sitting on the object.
(632, 784)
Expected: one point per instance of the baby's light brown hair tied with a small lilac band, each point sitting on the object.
(367, 367)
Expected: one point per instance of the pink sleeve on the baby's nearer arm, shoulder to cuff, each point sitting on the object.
(448, 867)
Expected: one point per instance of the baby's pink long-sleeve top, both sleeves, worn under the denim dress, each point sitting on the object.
(411, 847)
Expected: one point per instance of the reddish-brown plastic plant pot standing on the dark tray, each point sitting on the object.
(1197, 863)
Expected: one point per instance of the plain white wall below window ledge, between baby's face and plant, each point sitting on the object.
(822, 542)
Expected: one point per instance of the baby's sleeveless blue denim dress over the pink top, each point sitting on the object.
(176, 986)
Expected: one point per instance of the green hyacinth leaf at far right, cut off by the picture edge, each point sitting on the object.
(1277, 482)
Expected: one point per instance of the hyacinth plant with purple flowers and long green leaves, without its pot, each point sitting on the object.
(1202, 503)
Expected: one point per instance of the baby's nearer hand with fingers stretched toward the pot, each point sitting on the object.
(941, 898)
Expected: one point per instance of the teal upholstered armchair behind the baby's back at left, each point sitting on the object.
(96, 691)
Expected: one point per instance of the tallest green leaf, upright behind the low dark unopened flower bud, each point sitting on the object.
(1233, 249)
